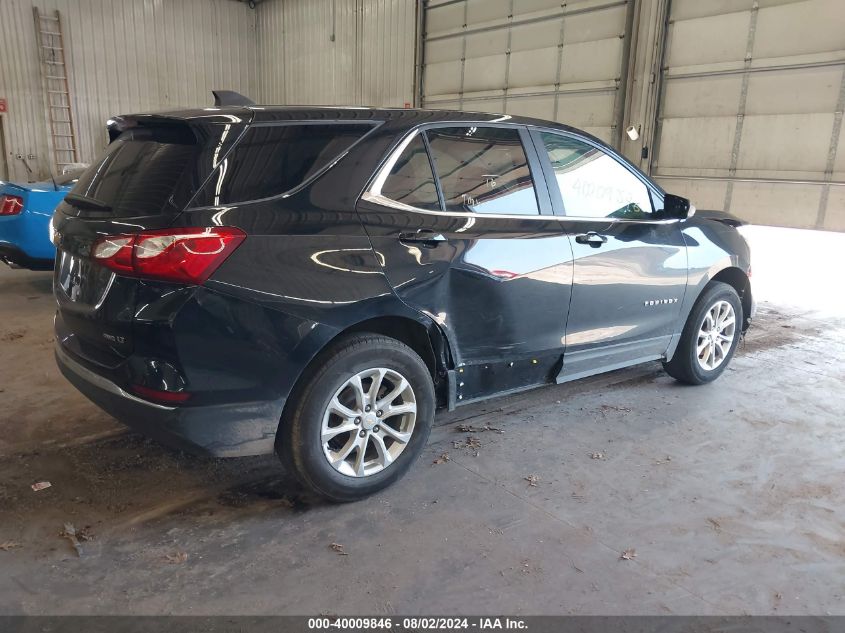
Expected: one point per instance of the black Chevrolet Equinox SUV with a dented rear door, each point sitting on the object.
(317, 281)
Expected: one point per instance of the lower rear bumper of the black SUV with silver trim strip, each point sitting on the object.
(234, 430)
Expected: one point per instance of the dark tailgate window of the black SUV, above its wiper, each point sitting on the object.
(139, 171)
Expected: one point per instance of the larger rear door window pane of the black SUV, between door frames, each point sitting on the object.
(483, 170)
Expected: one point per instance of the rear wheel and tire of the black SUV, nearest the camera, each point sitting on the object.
(328, 397)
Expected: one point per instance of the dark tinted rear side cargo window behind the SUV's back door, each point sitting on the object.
(273, 159)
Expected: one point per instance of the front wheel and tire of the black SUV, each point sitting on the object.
(686, 365)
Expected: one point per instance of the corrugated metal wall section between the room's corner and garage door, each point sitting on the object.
(337, 52)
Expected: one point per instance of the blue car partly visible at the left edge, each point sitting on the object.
(25, 213)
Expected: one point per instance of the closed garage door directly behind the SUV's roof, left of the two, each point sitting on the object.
(544, 58)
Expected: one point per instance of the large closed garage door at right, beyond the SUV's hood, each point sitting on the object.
(751, 112)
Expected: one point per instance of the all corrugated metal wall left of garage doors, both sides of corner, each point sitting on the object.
(148, 55)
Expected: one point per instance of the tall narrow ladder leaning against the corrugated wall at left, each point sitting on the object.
(54, 75)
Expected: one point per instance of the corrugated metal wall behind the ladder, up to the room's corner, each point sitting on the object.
(124, 56)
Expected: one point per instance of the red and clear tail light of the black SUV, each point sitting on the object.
(183, 255)
